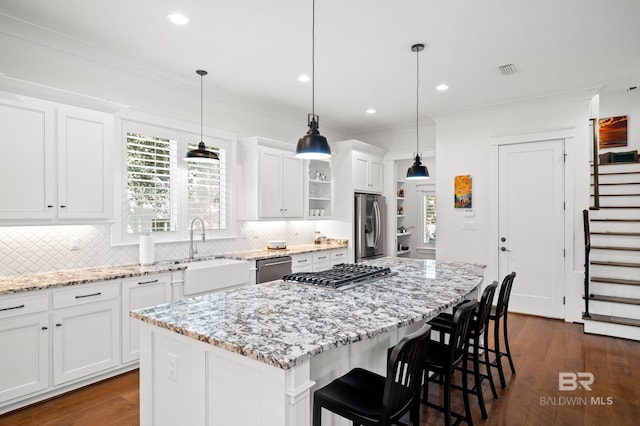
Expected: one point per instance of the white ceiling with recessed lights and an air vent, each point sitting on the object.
(254, 50)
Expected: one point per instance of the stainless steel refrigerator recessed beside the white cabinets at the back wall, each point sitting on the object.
(369, 226)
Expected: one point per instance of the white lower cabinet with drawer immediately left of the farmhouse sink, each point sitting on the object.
(138, 293)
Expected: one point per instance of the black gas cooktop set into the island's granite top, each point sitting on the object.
(342, 276)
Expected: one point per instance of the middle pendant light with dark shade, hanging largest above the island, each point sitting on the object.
(313, 146)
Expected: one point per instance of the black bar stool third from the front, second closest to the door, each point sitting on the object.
(443, 323)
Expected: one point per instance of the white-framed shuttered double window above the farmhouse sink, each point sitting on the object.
(162, 193)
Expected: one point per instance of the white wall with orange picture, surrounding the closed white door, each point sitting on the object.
(464, 147)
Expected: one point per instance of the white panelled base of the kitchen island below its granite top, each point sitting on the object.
(184, 381)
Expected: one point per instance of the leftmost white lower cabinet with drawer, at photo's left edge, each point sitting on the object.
(24, 339)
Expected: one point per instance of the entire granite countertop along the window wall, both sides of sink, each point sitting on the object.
(42, 281)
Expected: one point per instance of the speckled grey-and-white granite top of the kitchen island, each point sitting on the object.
(282, 324)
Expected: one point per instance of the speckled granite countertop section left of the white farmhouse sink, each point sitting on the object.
(45, 280)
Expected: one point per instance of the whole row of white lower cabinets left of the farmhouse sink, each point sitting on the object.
(58, 339)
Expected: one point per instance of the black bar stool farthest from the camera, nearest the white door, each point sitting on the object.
(500, 311)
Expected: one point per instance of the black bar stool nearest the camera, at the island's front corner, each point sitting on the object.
(366, 398)
